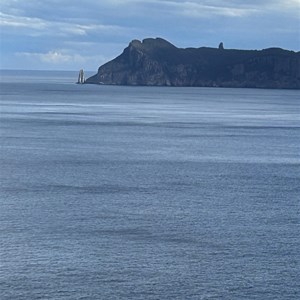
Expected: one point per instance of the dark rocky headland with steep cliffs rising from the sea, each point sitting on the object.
(156, 62)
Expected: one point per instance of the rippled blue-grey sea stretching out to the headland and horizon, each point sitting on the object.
(146, 192)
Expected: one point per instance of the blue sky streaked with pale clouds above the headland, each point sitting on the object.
(72, 34)
